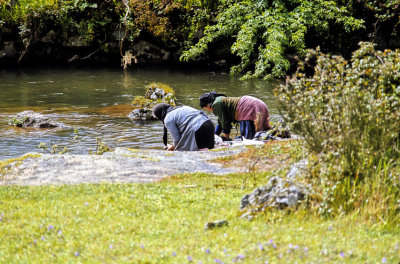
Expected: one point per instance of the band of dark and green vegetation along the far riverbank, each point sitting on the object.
(257, 38)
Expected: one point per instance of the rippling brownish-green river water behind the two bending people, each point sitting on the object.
(93, 103)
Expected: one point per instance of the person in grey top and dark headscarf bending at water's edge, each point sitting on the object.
(190, 129)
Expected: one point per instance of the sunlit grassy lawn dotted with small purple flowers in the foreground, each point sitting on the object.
(164, 222)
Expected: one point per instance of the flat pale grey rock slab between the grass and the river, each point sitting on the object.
(123, 165)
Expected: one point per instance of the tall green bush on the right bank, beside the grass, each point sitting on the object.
(348, 113)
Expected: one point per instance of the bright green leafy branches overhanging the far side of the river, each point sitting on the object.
(264, 31)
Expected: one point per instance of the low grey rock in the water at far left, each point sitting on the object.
(32, 119)
